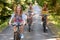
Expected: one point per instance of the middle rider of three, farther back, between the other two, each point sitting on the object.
(30, 14)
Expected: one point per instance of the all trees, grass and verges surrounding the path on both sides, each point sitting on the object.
(6, 9)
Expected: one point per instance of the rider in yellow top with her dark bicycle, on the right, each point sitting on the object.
(44, 16)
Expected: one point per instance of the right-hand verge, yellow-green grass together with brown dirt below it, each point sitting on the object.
(55, 20)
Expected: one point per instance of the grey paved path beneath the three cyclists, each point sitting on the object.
(36, 34)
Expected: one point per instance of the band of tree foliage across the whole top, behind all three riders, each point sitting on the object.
(6, 6)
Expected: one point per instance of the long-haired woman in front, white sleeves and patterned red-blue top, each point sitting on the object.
(18, 17)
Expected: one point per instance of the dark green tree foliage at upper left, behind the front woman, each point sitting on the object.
(6, 7)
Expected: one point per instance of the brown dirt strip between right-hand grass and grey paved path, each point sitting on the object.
(54, 30)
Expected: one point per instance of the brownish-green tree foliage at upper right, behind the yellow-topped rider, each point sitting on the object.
(53, 5)
